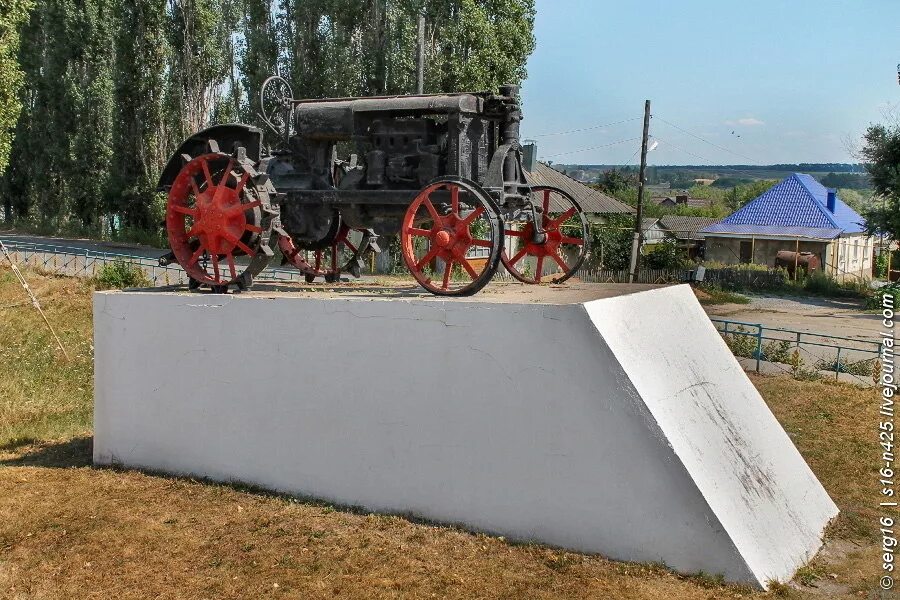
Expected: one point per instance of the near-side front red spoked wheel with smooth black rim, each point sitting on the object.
(451, 237)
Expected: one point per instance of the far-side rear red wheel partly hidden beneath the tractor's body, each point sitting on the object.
(341, 256)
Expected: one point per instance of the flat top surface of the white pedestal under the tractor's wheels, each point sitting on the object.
(496, 292)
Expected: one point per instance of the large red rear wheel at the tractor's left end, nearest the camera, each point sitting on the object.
(215, 214)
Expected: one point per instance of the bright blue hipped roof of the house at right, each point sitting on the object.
(795, 207)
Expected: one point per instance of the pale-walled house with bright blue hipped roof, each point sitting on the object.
(797, 214)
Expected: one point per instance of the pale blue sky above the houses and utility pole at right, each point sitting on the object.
(762, 81)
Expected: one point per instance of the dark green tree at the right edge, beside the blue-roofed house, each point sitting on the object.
(881, 150)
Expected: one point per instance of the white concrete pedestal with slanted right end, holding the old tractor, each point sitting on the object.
(620, 425)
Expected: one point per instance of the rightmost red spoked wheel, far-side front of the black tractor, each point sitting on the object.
(560, 252)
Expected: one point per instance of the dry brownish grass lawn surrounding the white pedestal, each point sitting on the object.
(70, 531)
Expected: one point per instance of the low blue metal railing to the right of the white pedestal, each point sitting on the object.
(802, 353)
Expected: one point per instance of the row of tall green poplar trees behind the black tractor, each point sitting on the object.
(109, 88)
